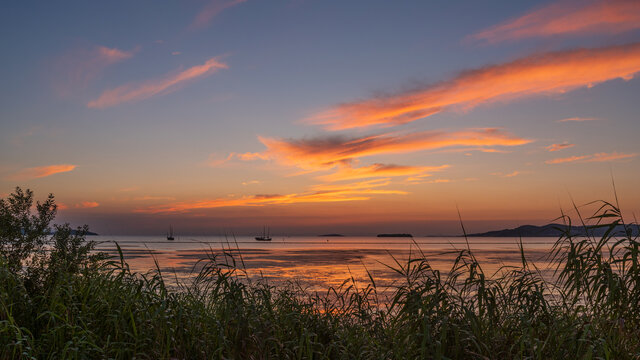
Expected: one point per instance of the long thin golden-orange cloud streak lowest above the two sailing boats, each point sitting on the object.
(318, 194)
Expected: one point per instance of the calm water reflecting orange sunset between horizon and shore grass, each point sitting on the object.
(319, 262)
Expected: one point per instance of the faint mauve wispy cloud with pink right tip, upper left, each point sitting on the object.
(77, 68)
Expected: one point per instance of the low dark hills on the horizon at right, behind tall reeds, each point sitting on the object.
(553, 230)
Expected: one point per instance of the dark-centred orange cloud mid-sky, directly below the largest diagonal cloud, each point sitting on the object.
(327, 152)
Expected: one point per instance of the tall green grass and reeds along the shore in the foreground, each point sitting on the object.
(100, 309)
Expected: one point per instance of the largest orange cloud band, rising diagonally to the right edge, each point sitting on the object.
(554, 72)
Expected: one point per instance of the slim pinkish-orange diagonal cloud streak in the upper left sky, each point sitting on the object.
(144, 90)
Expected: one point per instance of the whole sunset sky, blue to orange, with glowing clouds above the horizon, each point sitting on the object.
(356, 117)
